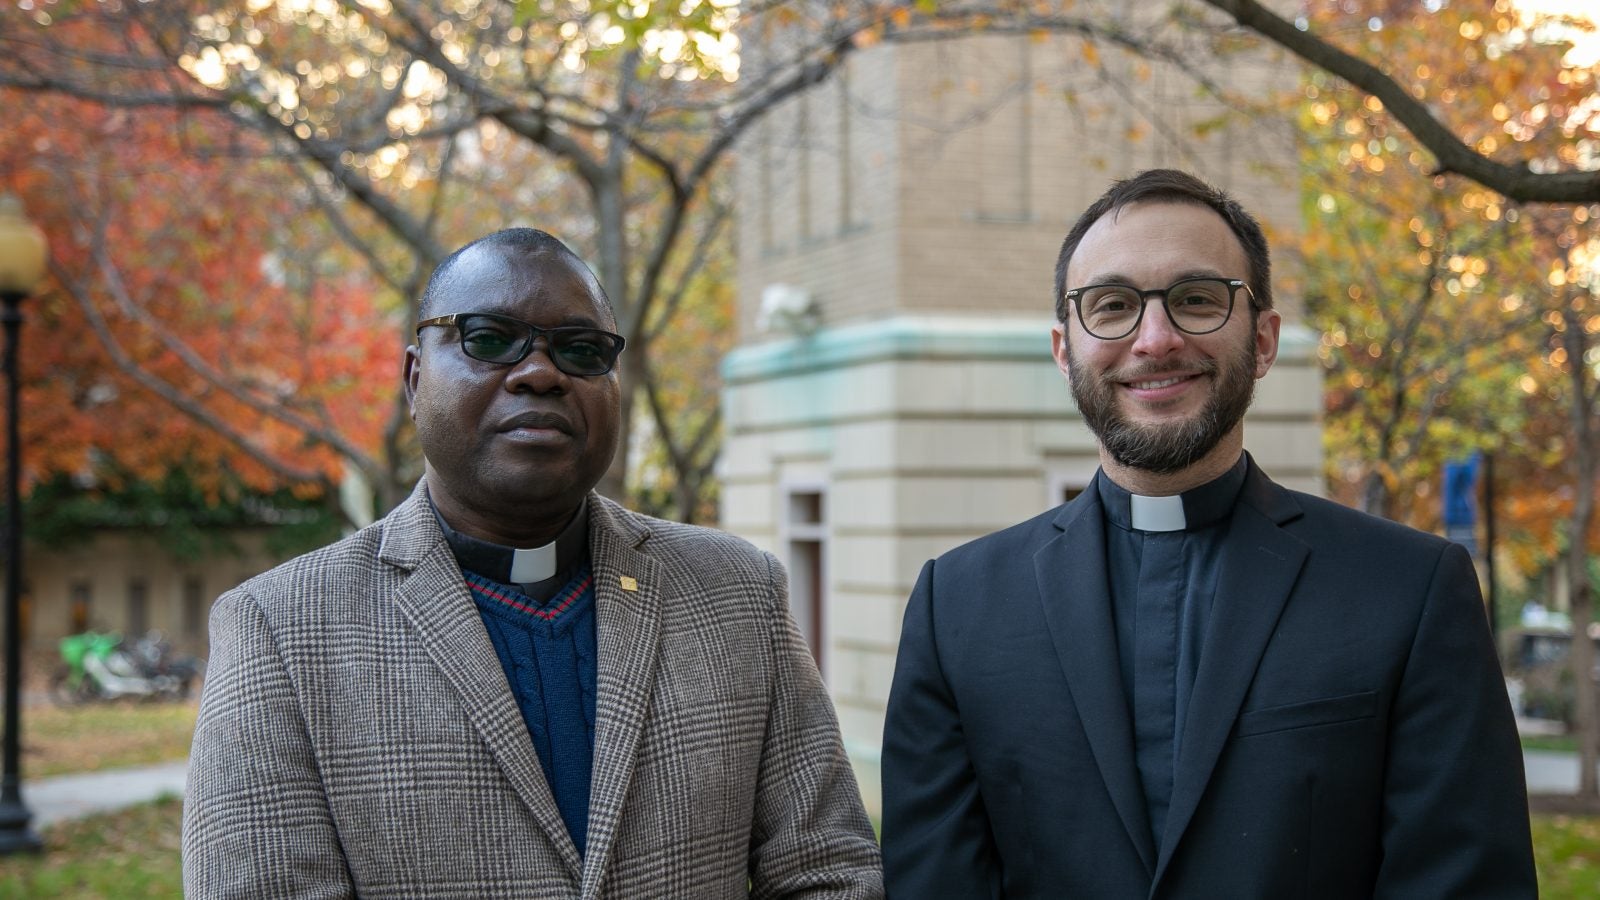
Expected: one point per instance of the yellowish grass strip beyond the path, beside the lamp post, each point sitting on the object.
(105, 736)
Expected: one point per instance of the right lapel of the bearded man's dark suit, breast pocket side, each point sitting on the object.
(1258, 571)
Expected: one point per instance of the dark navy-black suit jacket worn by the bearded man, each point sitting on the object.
(1350, 733)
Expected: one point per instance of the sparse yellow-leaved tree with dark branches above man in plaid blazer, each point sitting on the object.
(420, 126)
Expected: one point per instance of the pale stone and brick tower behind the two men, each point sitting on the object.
(894, 395)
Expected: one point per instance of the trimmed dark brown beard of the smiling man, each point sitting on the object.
(1169, 448)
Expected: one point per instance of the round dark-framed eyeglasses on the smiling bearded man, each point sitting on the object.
(1194, 307)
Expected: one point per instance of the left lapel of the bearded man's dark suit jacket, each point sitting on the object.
(1071, 573)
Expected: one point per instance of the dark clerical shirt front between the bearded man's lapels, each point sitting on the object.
(1162, 585)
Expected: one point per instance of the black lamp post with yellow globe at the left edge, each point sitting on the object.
(22, 270)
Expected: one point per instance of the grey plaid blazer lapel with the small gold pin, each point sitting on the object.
(630, 595)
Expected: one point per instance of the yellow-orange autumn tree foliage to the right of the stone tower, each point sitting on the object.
(1446, 303)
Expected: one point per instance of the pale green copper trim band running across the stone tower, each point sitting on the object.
(918, 339)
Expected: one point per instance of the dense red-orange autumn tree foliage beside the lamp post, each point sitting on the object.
(177, 291)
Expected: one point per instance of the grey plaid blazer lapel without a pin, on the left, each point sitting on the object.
(434, 598)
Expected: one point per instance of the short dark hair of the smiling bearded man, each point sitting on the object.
(1174, 187)
